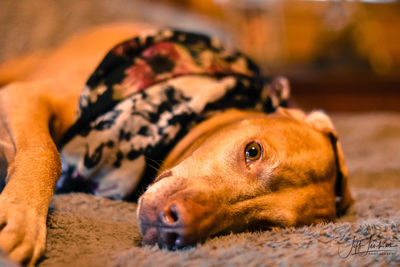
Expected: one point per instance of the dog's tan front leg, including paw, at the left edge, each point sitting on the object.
(32, 172)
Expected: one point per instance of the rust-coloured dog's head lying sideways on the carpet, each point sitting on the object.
(240, 171)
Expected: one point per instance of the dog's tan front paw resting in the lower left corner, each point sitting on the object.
(22, 232)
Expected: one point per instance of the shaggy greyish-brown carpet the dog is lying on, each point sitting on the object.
(84, 230)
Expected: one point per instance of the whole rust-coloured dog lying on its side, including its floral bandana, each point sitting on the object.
(251, 164)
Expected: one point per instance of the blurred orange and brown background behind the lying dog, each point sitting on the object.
(338, 55)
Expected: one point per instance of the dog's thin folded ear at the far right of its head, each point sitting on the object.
(323, 123)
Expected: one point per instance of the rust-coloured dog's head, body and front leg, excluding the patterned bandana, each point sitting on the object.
(235, 170)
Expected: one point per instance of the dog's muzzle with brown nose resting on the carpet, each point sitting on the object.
(174, 217)
